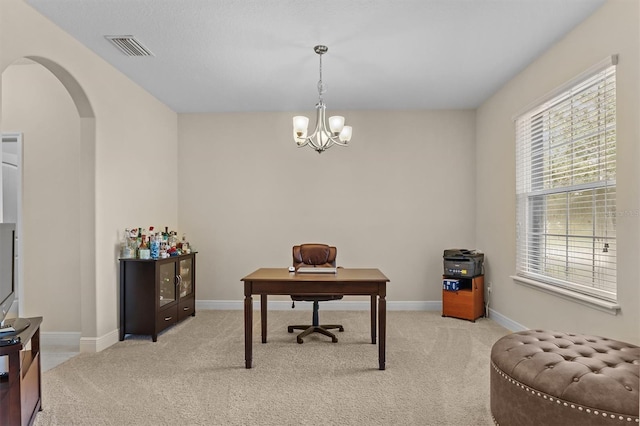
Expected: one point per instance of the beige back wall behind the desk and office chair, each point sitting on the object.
(401, 193)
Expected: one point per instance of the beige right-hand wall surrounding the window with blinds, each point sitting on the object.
(612, 29)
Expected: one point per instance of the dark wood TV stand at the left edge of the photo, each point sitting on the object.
(20, 387)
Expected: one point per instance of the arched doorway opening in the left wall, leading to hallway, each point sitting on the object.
(45, 102)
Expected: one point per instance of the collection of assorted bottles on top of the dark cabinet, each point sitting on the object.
(140, 243)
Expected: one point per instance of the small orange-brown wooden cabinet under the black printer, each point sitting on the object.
(467, 302)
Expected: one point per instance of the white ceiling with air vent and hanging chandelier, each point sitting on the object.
(257, 55)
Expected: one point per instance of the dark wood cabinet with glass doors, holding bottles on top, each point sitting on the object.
(155, 294)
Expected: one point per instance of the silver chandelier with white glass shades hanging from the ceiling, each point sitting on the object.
(323, 137)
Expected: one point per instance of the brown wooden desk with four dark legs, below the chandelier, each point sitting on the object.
(347, 282)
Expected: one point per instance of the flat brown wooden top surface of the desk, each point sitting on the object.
(343, 275)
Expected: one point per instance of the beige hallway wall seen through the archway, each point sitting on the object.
(36, 104)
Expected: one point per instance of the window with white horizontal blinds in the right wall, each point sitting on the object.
(566, 187)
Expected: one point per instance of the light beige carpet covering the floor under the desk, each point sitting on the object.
(437, 374)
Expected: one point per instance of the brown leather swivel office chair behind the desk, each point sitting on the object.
(318, 255)
